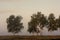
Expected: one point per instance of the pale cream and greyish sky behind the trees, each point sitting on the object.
(26, 8)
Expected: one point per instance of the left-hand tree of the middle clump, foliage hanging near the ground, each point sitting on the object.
(32, 25)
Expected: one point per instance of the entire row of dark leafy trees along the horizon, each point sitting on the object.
(38, 21)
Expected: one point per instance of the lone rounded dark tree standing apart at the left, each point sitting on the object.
(14, 24)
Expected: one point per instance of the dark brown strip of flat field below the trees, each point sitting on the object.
(29, 37)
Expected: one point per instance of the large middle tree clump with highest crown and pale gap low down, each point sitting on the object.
(37, 20)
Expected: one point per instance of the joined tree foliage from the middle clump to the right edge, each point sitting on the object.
(42, 21)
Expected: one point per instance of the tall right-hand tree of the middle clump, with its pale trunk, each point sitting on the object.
(42, 21)
